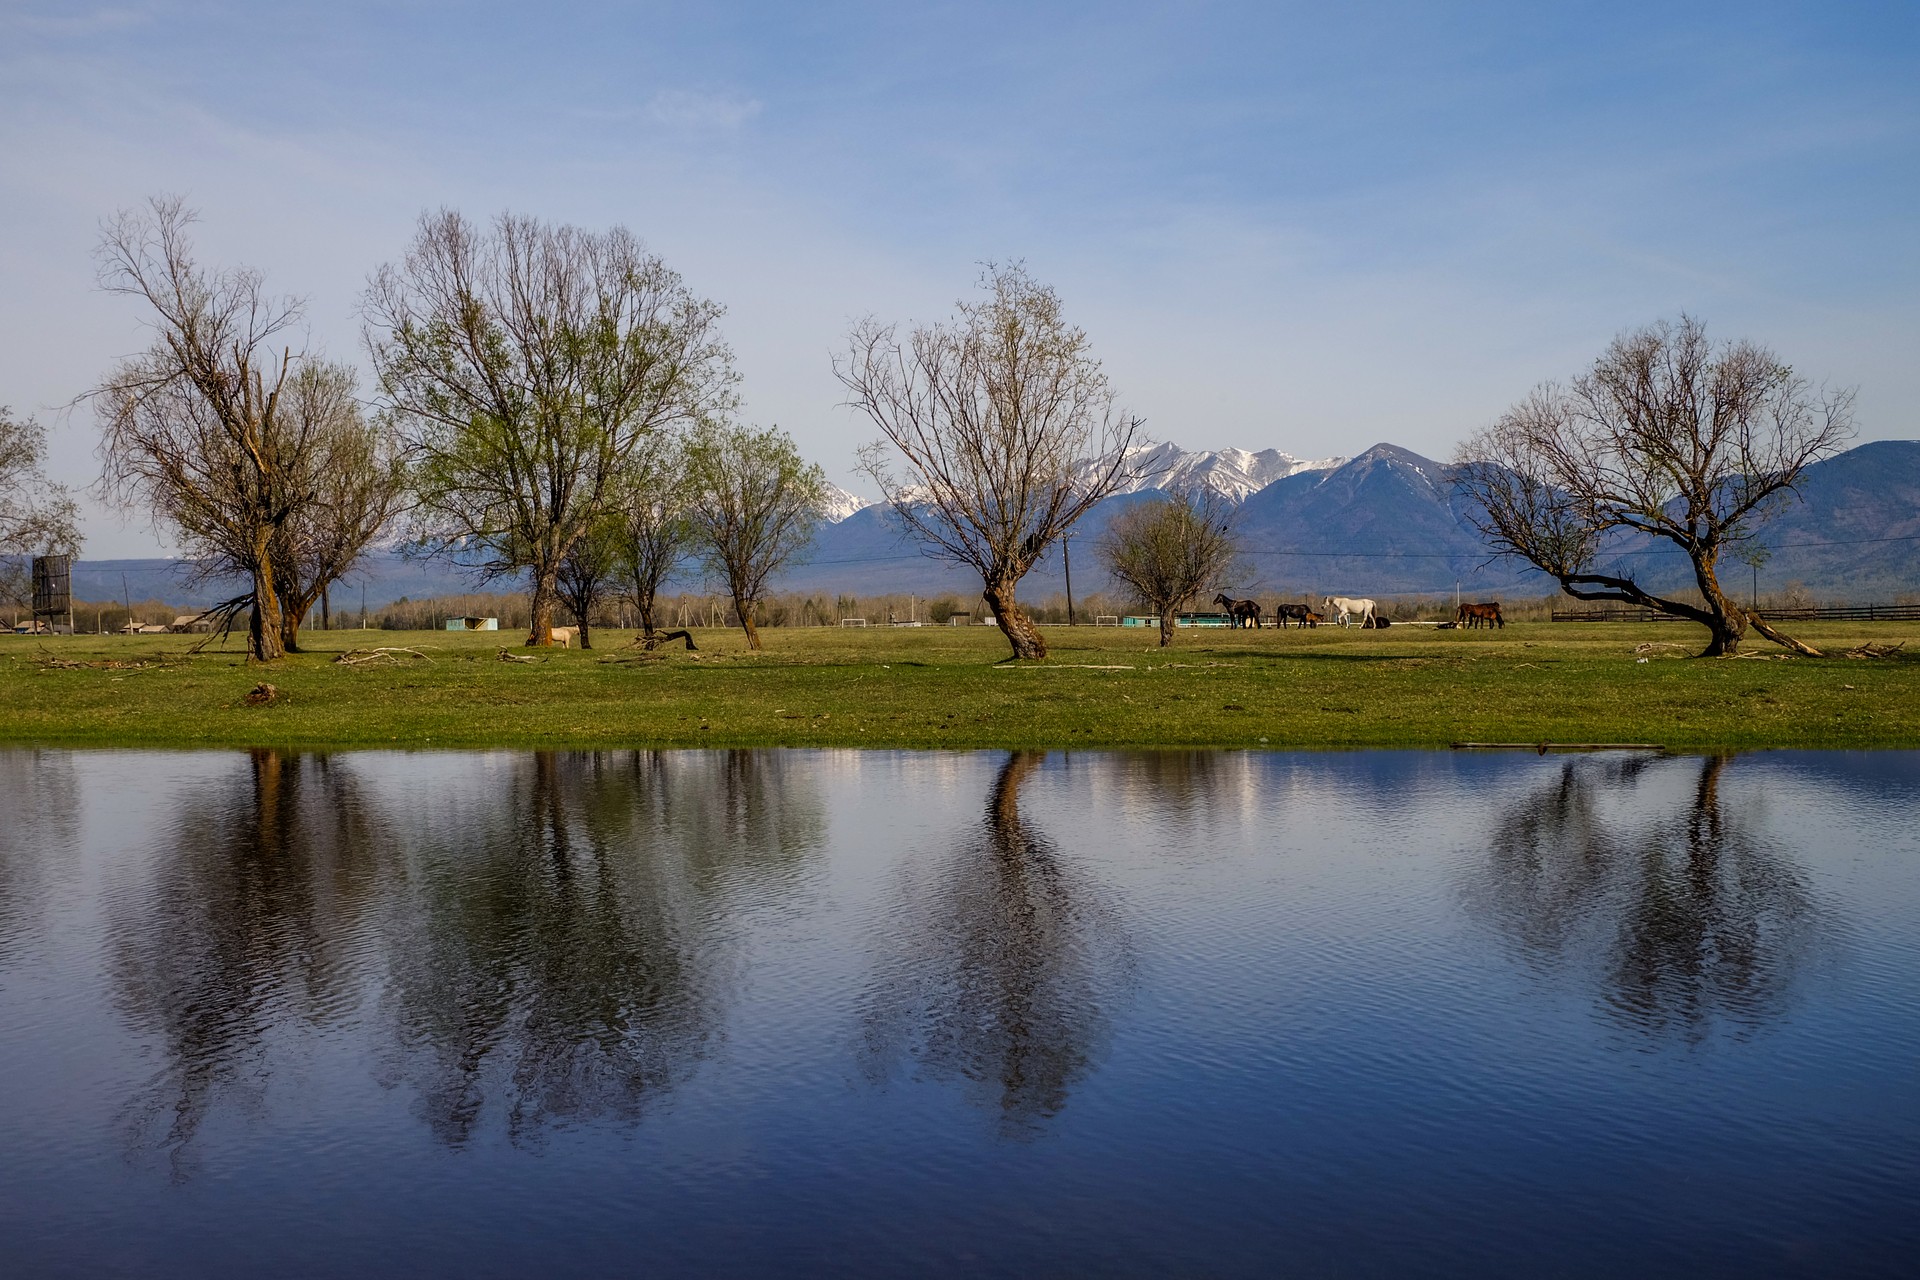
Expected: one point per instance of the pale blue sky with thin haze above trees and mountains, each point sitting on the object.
(1285, 225)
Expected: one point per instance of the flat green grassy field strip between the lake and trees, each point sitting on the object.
(949, 688)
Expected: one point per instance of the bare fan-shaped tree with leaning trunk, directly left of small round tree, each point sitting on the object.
(1009, 429)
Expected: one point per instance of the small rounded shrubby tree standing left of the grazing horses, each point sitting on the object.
(1170, 550)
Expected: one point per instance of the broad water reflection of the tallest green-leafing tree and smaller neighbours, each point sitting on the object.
(564, 937)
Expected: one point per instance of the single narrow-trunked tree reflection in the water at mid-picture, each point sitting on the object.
(1003, 974)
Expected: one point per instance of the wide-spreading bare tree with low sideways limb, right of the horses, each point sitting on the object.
(1666, 437)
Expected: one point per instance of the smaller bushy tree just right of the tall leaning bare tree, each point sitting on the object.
(356, 483)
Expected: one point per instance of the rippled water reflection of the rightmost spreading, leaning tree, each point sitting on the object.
(1687, 918)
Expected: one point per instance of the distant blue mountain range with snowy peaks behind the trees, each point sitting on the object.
(1381, 523)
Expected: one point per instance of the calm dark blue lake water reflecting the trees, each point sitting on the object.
(978, 1014)
